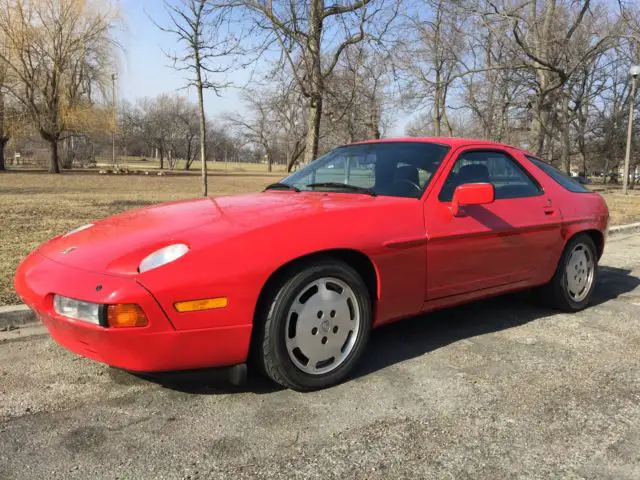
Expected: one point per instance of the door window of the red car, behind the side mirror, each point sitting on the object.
(507, 176)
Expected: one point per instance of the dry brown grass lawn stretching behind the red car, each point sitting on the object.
(35, 206)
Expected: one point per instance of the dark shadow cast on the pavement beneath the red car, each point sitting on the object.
(415, 336)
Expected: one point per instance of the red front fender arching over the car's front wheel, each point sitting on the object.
(239, 265)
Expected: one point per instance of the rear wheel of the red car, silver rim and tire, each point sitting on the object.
(573, 283)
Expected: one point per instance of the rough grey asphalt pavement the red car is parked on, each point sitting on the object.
(496, 389)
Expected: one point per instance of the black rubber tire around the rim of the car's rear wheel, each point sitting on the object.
(556, 293)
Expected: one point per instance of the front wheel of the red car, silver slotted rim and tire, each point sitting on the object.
(317, 326)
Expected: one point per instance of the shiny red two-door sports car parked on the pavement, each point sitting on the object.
(296, 276)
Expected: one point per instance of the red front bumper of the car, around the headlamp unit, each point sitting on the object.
(155, 347)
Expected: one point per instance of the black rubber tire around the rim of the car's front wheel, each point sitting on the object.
(271, 351)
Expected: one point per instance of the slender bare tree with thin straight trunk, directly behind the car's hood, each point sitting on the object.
(202, 28)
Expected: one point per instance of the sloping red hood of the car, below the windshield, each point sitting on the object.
(117, 244)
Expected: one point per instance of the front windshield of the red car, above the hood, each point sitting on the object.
(398, 169)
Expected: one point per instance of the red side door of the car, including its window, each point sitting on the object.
(493, 247)
